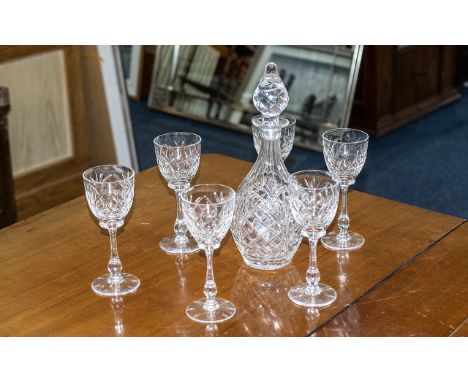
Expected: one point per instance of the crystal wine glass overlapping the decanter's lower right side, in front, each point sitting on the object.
(313, 203)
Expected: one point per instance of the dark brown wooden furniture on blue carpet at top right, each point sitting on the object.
(398, 84)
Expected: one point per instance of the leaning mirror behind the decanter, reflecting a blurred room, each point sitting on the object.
(215, 84)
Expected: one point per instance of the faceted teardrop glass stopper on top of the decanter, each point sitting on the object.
(270, 97)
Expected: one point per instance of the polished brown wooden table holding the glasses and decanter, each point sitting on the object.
(410, 278)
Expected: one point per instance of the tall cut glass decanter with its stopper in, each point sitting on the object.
(263, 227)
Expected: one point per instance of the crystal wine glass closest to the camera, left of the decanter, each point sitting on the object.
(208, 211)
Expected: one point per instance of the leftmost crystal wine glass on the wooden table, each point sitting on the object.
(109, 191)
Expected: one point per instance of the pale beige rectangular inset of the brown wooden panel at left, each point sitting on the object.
(40, 127)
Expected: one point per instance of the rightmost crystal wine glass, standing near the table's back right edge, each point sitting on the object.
(345, 152)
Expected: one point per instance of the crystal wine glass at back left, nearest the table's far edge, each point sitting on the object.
(178, 158)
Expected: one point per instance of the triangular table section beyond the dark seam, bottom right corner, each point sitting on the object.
(429, 297)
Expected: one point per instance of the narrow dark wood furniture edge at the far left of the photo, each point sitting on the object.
(7, 194)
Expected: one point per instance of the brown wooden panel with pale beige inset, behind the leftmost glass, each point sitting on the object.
(59, 88)
